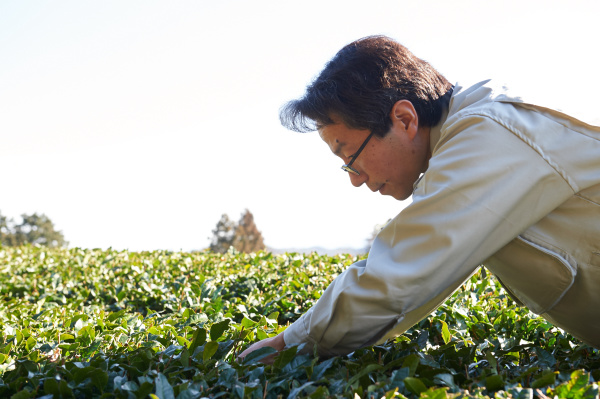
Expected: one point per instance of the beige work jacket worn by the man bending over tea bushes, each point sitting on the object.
(510, 185)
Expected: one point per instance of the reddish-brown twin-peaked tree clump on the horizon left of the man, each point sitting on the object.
(244, 236)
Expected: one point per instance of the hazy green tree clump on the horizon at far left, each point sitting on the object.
(33, 229)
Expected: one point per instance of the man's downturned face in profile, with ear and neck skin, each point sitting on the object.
(389, 165)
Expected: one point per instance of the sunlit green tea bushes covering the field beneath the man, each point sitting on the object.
(78, 323)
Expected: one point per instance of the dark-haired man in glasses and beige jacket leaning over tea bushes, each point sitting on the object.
(495, 181)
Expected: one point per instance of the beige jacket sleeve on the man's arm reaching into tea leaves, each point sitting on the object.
(483, 187)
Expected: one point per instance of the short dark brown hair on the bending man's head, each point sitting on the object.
(362, 83)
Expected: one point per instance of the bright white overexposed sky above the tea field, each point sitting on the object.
(136, 124)
